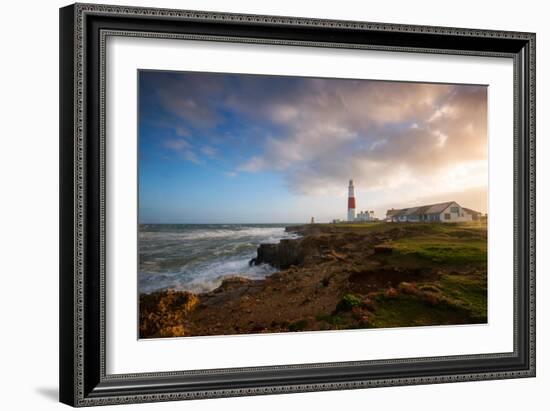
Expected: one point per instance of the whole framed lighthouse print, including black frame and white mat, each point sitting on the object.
(262, 204)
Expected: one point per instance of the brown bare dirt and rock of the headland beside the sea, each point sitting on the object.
(329, 263)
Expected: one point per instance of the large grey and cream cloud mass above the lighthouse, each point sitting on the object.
(378, 134)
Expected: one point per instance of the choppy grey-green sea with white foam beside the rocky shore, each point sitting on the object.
(197, 257)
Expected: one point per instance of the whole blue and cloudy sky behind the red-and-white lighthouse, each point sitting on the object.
(238, 148)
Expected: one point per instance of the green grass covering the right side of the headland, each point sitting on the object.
(457, 293)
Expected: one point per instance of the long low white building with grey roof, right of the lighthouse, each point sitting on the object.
(449, 212)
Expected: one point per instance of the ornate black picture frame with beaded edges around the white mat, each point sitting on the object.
(83, 30)
